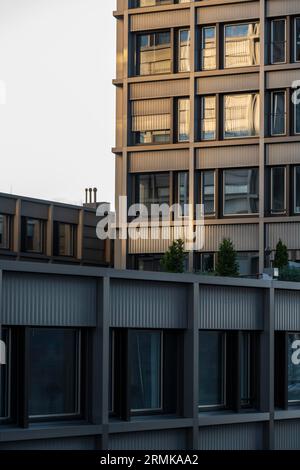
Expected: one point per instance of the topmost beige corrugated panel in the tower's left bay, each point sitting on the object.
(160, 19)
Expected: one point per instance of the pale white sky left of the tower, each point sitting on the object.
(57, 59)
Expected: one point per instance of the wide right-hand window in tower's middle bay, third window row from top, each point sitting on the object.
(241, 191)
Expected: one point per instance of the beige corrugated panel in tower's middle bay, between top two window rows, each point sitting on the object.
(228, 83)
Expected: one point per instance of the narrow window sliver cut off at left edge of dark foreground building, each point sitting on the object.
(5, 376)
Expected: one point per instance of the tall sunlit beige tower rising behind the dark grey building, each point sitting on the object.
(207, 114)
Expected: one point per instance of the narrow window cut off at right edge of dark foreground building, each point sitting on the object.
(293, 367)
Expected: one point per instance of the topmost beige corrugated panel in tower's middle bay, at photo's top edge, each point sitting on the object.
(228, 12)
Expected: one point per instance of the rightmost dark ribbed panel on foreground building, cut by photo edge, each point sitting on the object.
(287, 315)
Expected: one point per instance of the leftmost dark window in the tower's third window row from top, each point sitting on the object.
(153, 189)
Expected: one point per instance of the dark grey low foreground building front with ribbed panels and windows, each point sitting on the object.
(121, 360)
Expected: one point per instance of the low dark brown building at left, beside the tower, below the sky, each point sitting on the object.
(45, 231)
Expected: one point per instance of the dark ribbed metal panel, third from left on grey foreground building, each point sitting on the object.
(230, 308)
